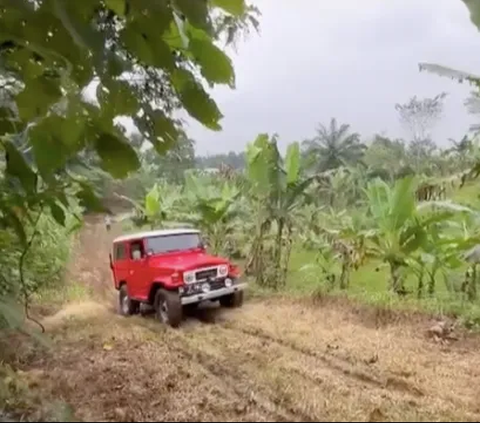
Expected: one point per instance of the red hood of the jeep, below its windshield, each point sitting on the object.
(186, 260)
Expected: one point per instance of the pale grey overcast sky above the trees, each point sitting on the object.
(349, 59)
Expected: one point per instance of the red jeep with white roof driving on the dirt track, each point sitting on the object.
(170, 269)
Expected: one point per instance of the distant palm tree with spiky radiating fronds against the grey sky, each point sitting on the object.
(334, 147)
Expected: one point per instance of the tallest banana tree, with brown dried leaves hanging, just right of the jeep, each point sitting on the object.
(278, 189)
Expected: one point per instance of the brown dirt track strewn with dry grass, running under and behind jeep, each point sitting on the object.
(272, 360)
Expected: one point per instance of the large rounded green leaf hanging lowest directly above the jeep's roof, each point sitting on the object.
(117, 156)
